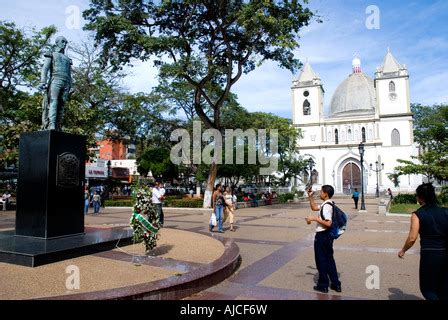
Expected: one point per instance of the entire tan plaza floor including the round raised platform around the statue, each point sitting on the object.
(269, 257)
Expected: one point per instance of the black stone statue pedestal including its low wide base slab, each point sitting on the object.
(50, 204)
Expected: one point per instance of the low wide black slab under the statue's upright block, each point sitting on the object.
(34, 252)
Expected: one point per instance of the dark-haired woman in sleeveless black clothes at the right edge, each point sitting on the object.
(431, 222)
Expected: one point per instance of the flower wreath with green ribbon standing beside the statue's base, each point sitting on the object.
(145, 220)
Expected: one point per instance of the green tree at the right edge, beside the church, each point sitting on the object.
(431, 133)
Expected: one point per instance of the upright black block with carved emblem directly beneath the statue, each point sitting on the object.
(50, 196)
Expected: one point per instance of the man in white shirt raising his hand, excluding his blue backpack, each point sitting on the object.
(323, 243)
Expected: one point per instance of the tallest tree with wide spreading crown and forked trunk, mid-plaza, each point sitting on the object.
(230, 37)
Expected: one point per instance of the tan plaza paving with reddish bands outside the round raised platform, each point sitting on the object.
(277, 259)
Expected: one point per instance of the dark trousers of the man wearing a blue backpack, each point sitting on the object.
(323, 254)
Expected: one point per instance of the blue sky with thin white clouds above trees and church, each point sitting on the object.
(415, 31)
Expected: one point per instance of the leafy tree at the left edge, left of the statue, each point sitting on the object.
(20, 111)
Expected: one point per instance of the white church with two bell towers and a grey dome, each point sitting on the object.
(373, 111)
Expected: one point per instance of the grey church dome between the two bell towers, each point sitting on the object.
(355, 95)
